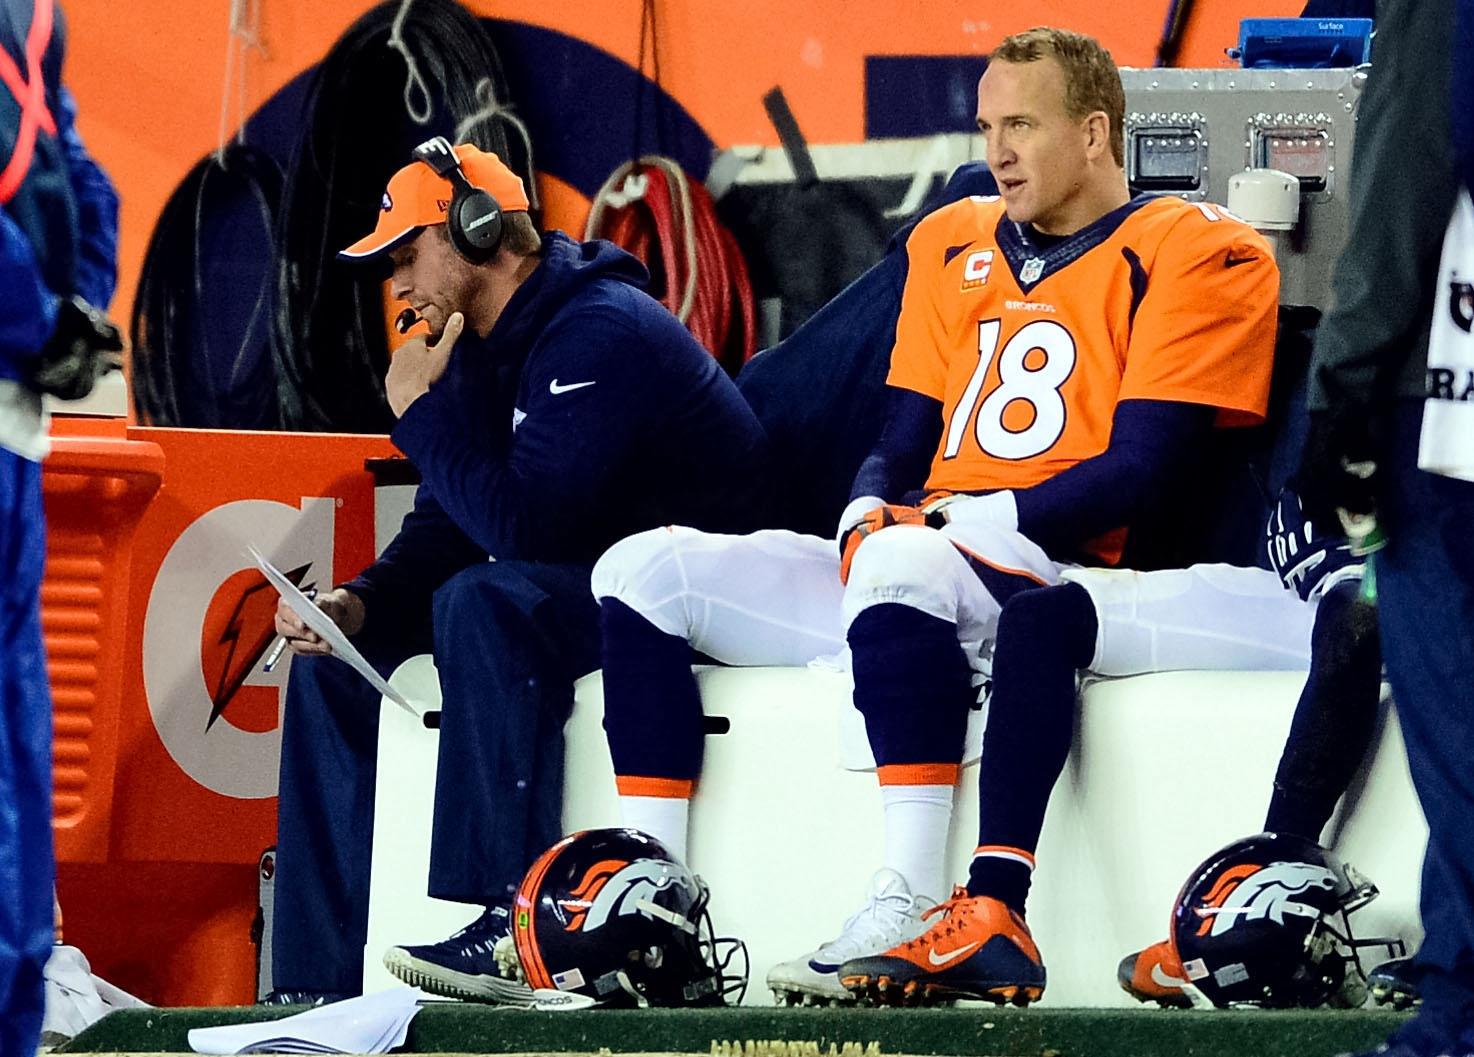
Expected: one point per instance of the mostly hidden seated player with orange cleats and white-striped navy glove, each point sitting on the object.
(1122, 624)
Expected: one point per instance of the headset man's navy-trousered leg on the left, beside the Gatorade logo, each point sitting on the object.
(325, 814)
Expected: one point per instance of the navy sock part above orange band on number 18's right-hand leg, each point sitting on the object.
(913, 685)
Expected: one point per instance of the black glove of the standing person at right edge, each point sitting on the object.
(1338, 468)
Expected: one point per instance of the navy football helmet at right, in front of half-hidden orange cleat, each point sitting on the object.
(1265, 922)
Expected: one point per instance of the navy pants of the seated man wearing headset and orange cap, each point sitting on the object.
(509, 641)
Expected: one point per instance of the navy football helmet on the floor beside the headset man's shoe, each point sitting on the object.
(612, 916)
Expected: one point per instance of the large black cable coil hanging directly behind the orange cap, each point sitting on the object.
(331, 343)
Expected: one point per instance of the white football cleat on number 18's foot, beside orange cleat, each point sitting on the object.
(891, 916)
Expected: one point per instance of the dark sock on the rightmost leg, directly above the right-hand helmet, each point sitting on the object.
(1335, 719)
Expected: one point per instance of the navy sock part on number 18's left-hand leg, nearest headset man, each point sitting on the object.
(652, 704)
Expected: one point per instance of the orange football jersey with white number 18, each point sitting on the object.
(1031, 349)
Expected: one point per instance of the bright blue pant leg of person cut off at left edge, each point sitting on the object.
(27, 872)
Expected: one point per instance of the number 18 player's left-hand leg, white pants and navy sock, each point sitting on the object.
(666, 595)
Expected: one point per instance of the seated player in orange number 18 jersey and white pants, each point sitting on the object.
(1062, 355)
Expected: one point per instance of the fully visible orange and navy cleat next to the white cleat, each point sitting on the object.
(975, 949)
